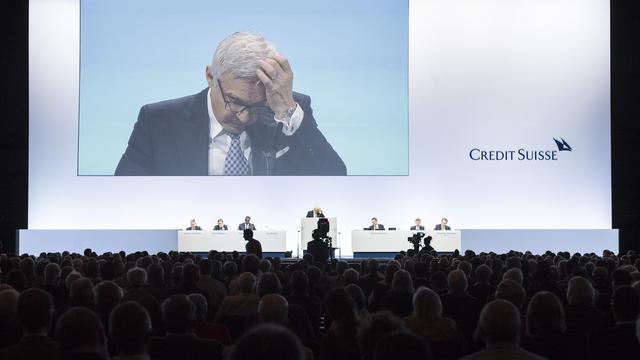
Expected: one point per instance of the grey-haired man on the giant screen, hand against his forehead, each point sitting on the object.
(248, 121)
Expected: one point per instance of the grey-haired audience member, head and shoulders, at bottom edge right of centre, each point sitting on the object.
(499, 329)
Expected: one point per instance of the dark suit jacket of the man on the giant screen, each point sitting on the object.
(172, 138)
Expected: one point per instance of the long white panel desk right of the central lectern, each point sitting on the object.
(367, 241)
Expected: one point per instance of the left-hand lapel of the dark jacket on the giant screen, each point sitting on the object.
(192, 136)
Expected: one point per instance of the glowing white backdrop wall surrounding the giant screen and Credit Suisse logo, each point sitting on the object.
(494, 75)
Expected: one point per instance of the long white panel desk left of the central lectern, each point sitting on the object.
(231, 240)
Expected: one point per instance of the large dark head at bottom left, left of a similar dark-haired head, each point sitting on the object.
(80, 331)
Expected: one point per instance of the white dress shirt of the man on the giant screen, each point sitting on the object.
(220, 141)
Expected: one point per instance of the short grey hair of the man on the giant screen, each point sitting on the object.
(238, 55)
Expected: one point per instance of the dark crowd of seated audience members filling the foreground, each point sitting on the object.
(177, 305)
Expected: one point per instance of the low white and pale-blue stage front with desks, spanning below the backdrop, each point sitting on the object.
(364, 244)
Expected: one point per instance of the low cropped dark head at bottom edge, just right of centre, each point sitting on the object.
(402, 345)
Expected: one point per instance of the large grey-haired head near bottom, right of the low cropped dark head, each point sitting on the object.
(499, 323)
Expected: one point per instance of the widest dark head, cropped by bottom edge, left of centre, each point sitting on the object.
(270, 340)
